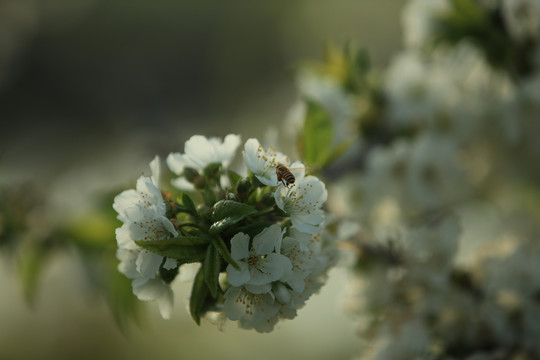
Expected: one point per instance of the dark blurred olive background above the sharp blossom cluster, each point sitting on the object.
(80, 80)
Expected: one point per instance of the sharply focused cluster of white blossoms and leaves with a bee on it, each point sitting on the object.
(266, 236)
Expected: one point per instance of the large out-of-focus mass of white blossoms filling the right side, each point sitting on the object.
(444, 200)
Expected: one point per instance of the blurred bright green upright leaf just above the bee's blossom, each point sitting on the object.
(316, 140)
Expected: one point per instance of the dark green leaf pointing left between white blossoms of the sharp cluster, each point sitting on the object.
(186, 249)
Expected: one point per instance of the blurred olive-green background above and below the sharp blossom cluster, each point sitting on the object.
(91, 90)
